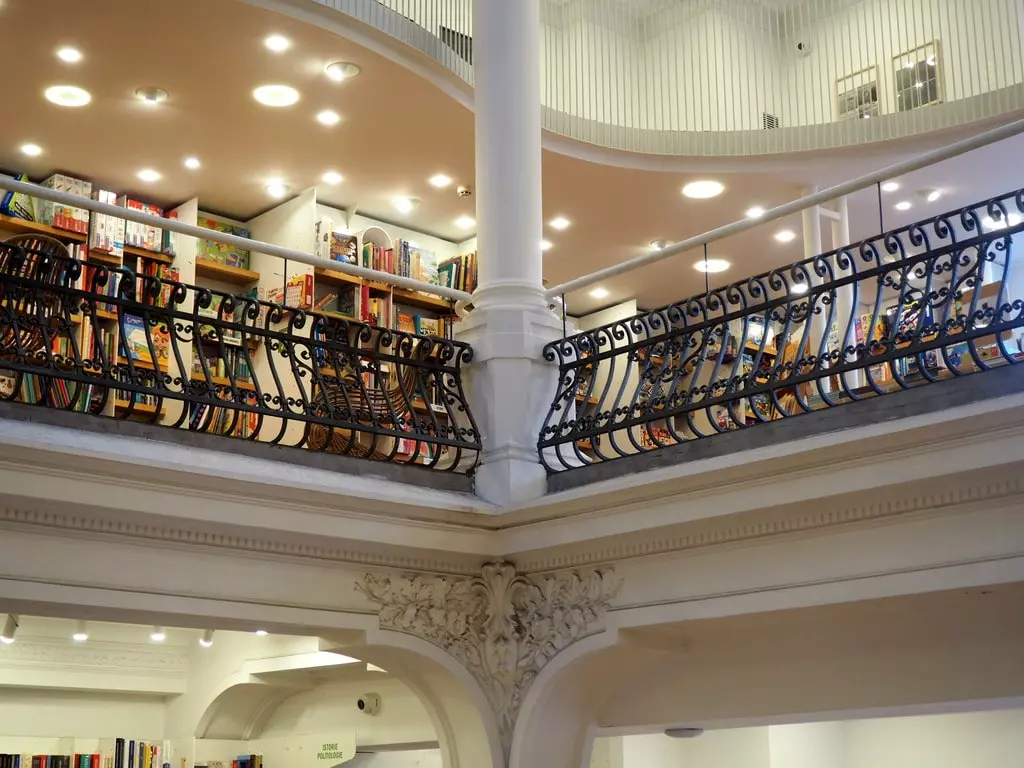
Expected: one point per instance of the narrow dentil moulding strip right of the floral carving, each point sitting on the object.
(880, 505)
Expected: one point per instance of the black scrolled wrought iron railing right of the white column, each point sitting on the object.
(932, 302)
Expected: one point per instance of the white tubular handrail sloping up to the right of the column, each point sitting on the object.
(862, 183)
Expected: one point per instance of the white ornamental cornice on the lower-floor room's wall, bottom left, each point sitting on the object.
(111, 659)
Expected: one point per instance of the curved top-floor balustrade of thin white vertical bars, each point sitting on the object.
(746, 77)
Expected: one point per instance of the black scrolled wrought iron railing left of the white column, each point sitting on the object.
(99, 339)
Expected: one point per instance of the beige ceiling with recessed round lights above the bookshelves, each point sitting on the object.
(397, 133)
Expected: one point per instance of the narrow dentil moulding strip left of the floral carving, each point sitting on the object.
(265, 546)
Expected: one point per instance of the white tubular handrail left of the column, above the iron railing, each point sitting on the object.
(232, 240)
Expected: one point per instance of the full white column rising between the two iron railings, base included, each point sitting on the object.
(510, 387)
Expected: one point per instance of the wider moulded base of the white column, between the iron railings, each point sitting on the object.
(510, 388)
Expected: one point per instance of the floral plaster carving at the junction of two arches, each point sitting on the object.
(502, 626)
